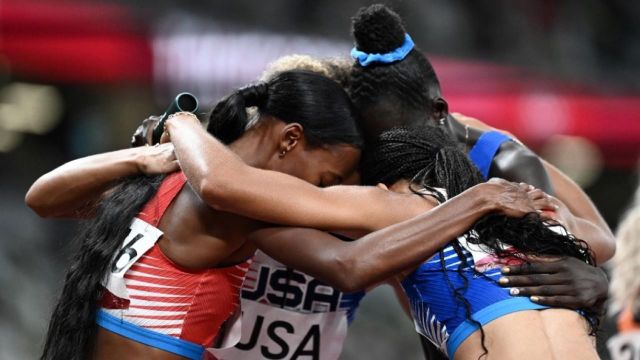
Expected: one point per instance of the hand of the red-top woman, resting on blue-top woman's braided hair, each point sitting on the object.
(514, 199)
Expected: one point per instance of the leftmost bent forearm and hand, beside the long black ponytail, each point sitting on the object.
(72, 190)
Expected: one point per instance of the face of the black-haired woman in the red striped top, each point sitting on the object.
(322, 166)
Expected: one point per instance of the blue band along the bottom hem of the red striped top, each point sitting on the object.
(149, 337)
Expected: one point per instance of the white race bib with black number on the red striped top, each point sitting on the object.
(141, 238)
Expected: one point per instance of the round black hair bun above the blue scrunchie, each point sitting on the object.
(377, 29)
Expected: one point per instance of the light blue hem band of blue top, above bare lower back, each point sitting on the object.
(485, 316)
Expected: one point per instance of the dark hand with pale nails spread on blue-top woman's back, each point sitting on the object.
(567, 282)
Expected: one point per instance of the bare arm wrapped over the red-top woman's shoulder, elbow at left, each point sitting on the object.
(226, 183)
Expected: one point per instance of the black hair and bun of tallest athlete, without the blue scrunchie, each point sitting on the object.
(389, 94)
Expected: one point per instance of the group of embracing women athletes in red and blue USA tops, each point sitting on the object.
(253, 239)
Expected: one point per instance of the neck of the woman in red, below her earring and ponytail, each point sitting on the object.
(254, 147)
